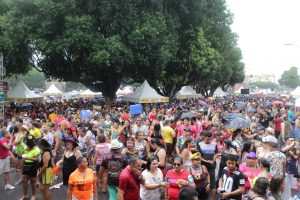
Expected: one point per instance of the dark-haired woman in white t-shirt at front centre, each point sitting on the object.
(153, 176)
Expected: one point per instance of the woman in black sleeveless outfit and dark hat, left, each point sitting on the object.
(71, 154)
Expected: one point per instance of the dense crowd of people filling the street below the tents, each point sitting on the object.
(182, 150)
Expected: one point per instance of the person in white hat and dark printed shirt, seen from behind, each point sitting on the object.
(113, 165)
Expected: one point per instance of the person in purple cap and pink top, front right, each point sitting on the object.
(250, 170)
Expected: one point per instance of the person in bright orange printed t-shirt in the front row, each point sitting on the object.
(82, 183)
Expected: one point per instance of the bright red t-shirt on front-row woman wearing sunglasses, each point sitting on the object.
(172, 178)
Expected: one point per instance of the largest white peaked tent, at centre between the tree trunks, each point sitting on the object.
(145, 94)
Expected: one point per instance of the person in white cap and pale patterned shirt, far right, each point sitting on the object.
(276, 158)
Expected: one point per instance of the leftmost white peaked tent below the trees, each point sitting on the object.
(21, 93)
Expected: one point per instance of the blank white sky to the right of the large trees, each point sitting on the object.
(263, 27)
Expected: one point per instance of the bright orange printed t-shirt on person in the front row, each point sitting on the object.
(82, 187)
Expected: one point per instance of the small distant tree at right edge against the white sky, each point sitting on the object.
(290, 78)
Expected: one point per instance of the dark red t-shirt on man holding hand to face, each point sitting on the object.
(129, 185)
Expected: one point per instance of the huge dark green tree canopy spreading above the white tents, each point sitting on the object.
(171, 43)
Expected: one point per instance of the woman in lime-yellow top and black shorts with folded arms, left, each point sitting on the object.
(30, 167)
